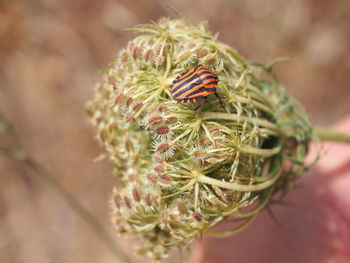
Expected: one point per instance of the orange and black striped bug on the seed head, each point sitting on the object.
(197, 83)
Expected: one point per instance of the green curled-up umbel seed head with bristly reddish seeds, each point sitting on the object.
(183, 171)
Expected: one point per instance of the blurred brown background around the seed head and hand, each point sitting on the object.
(51, 52)
